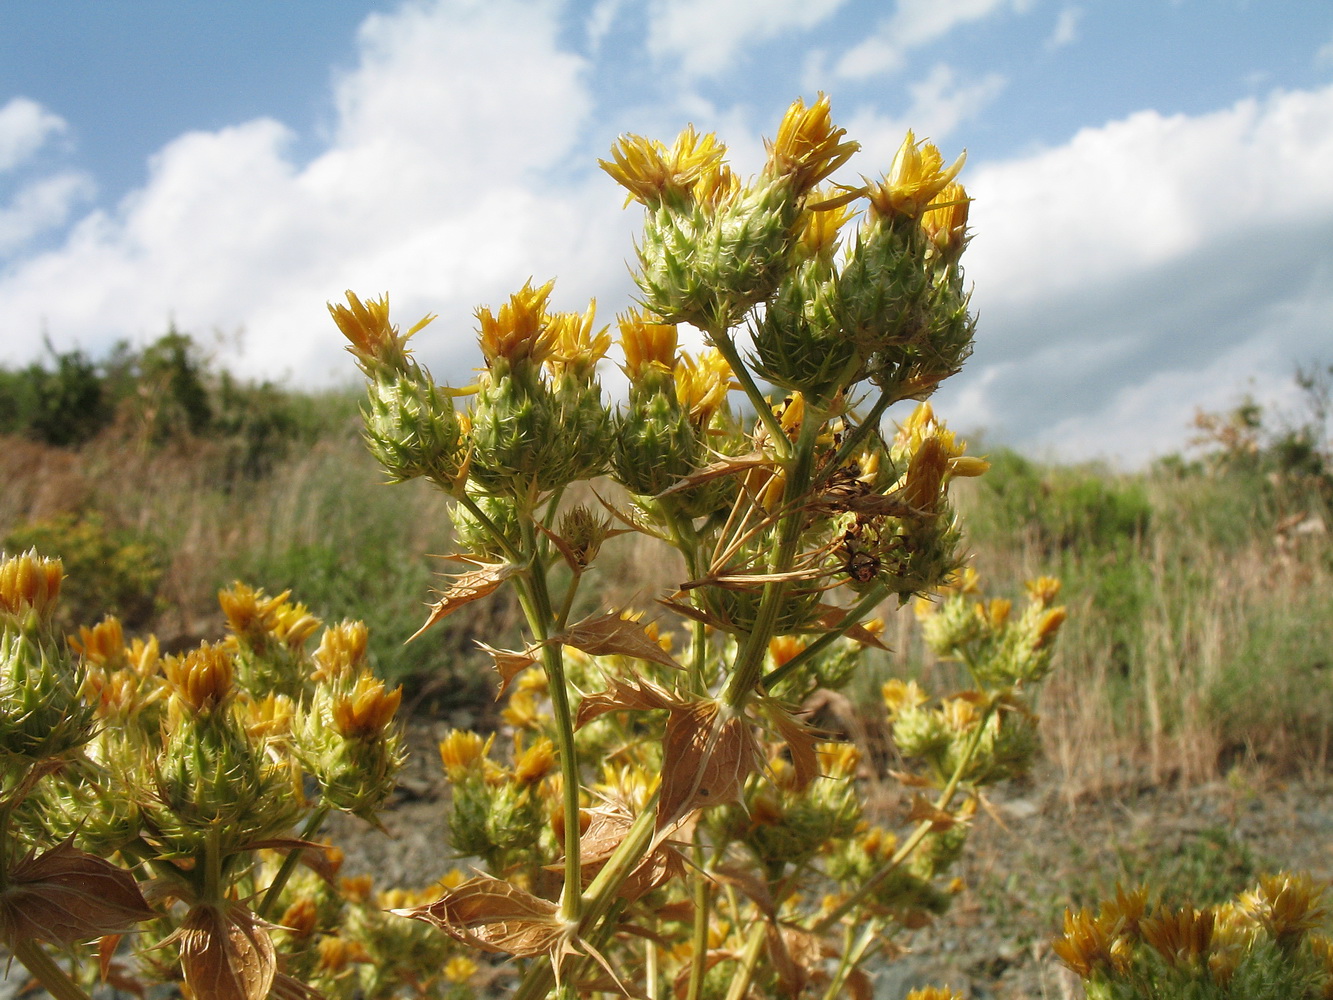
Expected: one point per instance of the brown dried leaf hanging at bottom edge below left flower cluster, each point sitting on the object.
(226, 954)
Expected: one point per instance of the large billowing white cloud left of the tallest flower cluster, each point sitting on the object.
(438, 186)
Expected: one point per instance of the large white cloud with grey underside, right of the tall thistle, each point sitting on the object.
(1127, 275)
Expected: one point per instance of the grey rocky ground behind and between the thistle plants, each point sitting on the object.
(1034, 853)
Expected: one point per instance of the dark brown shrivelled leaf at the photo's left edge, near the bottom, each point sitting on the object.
(66, 897)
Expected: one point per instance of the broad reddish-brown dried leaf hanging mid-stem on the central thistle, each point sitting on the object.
(707, 757)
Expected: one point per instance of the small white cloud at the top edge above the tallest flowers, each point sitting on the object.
(706, 35)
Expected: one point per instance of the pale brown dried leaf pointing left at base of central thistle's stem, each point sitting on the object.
(495, 917)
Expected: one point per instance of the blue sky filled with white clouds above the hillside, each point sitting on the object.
(1154, 186)
